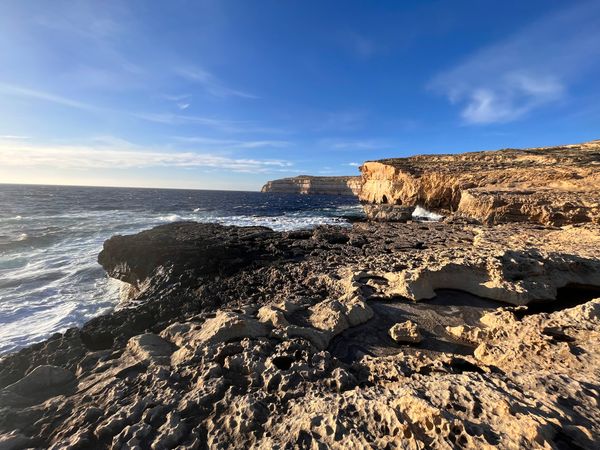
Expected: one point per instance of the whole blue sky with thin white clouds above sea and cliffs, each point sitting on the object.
(225, 94)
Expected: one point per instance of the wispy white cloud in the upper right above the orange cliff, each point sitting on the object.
(531, 69)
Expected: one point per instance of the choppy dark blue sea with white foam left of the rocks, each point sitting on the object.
(50, 237)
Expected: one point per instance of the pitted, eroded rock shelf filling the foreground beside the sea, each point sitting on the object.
(405, 335)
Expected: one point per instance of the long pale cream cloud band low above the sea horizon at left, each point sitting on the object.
(91, 157)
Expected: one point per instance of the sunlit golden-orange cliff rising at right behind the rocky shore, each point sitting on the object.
(550, 185)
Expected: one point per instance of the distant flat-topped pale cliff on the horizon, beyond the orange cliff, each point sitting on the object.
(305, 184)
